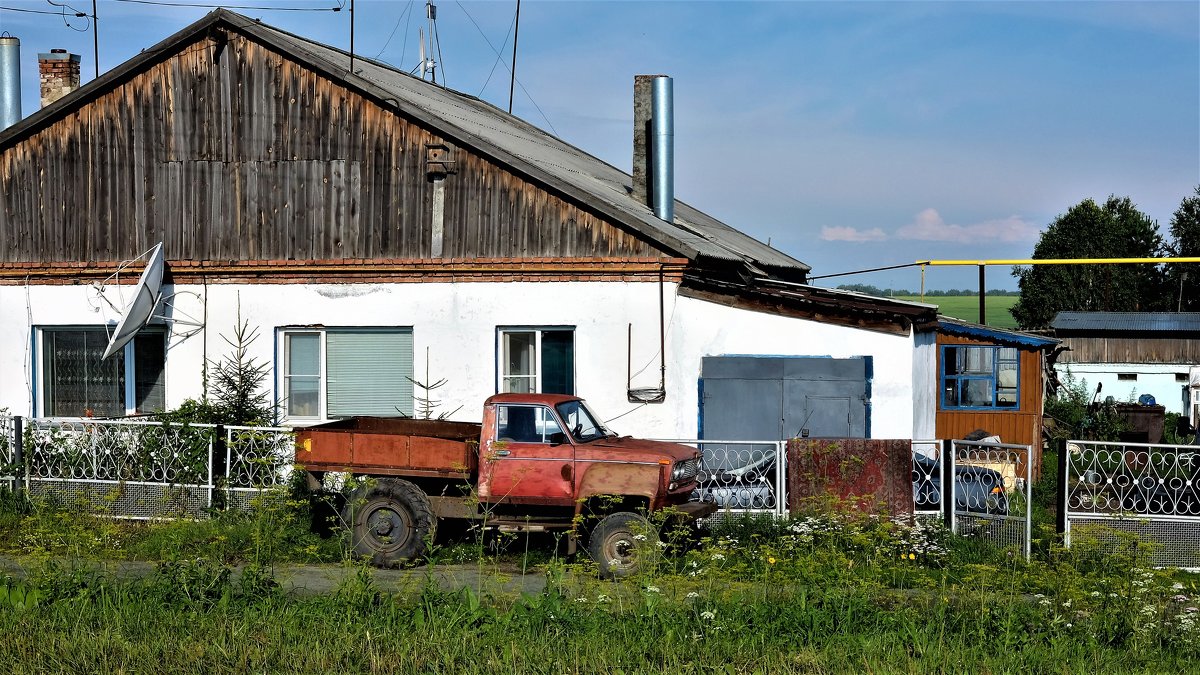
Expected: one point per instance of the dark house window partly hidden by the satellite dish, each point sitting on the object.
(77, 383)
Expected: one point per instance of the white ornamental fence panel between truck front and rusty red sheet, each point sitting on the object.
(743, 477)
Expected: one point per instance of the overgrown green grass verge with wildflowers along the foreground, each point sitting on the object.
(832, 592)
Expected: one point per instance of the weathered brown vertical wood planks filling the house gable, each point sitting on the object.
(242, 154)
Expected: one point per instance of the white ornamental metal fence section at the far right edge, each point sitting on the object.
(1149, 491)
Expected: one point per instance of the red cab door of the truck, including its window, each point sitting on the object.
(529, 458)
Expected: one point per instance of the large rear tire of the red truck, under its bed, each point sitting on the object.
(391, 522)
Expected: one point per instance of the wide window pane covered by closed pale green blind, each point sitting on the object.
(369, 372)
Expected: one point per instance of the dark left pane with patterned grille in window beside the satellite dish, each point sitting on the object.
(77, 381)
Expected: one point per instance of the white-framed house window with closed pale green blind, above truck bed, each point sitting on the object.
(347, 372)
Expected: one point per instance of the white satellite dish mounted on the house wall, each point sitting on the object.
(140, 312)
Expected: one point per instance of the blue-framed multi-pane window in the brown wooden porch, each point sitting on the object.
(981, 378)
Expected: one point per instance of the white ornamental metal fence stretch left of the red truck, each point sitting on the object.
(146, 470)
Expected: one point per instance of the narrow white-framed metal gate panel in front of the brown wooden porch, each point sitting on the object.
(992, 493)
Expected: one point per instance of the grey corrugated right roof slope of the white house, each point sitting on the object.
(482, 126)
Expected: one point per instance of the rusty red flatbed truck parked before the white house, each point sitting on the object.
(537, 463)
